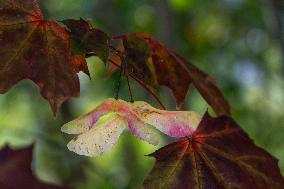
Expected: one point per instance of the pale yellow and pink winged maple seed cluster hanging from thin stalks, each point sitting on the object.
(97, 136)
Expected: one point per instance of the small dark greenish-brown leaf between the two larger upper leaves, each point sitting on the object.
(86, 39)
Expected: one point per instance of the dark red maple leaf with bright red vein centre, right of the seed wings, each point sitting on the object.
(219, 154)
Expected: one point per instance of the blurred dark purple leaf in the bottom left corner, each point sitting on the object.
(15, 171)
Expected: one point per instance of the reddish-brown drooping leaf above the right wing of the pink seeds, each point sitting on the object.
(154, 64)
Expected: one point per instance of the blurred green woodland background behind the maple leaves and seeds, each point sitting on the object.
(238, 42)
